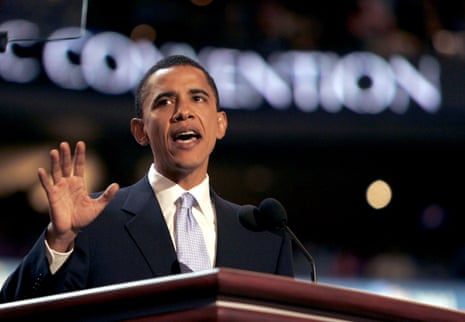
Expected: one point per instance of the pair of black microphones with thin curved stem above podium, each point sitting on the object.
(271, 215)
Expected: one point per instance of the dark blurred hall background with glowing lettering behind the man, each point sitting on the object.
(350, 113)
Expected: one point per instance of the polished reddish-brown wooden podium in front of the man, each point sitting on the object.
(223, 294)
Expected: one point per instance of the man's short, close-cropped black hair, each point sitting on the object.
(166, 62)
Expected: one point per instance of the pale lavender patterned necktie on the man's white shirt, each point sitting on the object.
(191, 249)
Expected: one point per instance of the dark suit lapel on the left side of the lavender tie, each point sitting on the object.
(148, 229)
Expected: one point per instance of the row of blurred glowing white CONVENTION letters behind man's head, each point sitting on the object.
(307, 80)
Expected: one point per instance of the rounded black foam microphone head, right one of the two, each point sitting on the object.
(271, 214)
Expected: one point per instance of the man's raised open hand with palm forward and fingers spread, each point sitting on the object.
(70, 206)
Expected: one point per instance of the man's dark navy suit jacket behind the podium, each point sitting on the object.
(130, 241)
